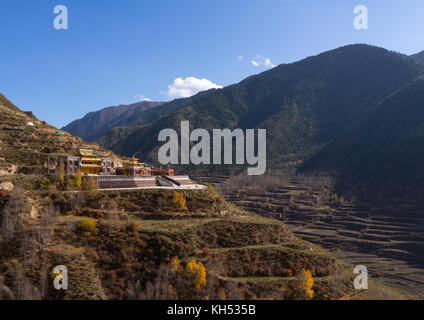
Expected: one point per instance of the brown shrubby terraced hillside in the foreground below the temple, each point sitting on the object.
(137, 232)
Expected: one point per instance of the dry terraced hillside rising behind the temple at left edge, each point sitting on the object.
(31, 149)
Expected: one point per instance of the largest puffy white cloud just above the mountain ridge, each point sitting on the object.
(189, 86)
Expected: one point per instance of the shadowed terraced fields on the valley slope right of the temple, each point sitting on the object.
(386, 235)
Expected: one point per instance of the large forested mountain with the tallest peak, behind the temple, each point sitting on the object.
(304, 105)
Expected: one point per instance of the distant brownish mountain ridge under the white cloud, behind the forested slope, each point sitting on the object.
(95, 124)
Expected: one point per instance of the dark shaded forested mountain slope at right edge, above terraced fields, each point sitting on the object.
(385, 149)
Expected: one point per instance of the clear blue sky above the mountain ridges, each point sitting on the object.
(116, 52)
